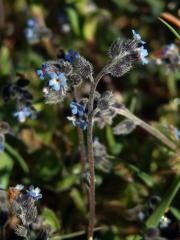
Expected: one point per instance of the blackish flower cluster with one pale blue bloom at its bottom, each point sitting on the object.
(23, 98)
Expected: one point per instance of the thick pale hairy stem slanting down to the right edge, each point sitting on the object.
(153, 131)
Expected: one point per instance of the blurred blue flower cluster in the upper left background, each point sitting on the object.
(35, 32)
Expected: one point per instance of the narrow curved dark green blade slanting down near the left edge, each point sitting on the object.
(18, 157)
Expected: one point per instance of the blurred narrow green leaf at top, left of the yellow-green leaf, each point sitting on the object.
(74, 20)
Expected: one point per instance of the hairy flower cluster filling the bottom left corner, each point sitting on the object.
(19, 205)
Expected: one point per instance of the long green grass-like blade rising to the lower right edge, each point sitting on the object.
(153, 220)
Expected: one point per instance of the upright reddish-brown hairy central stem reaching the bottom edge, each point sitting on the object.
(91, 155)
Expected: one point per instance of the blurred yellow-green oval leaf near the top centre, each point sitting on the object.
(89, 28)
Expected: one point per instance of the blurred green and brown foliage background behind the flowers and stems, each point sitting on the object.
(44, 151)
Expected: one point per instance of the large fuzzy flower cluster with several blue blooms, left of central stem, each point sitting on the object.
(62, 75)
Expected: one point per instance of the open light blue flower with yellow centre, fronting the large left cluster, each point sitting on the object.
(57, 81)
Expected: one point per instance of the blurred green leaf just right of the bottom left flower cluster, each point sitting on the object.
(51, 219)
